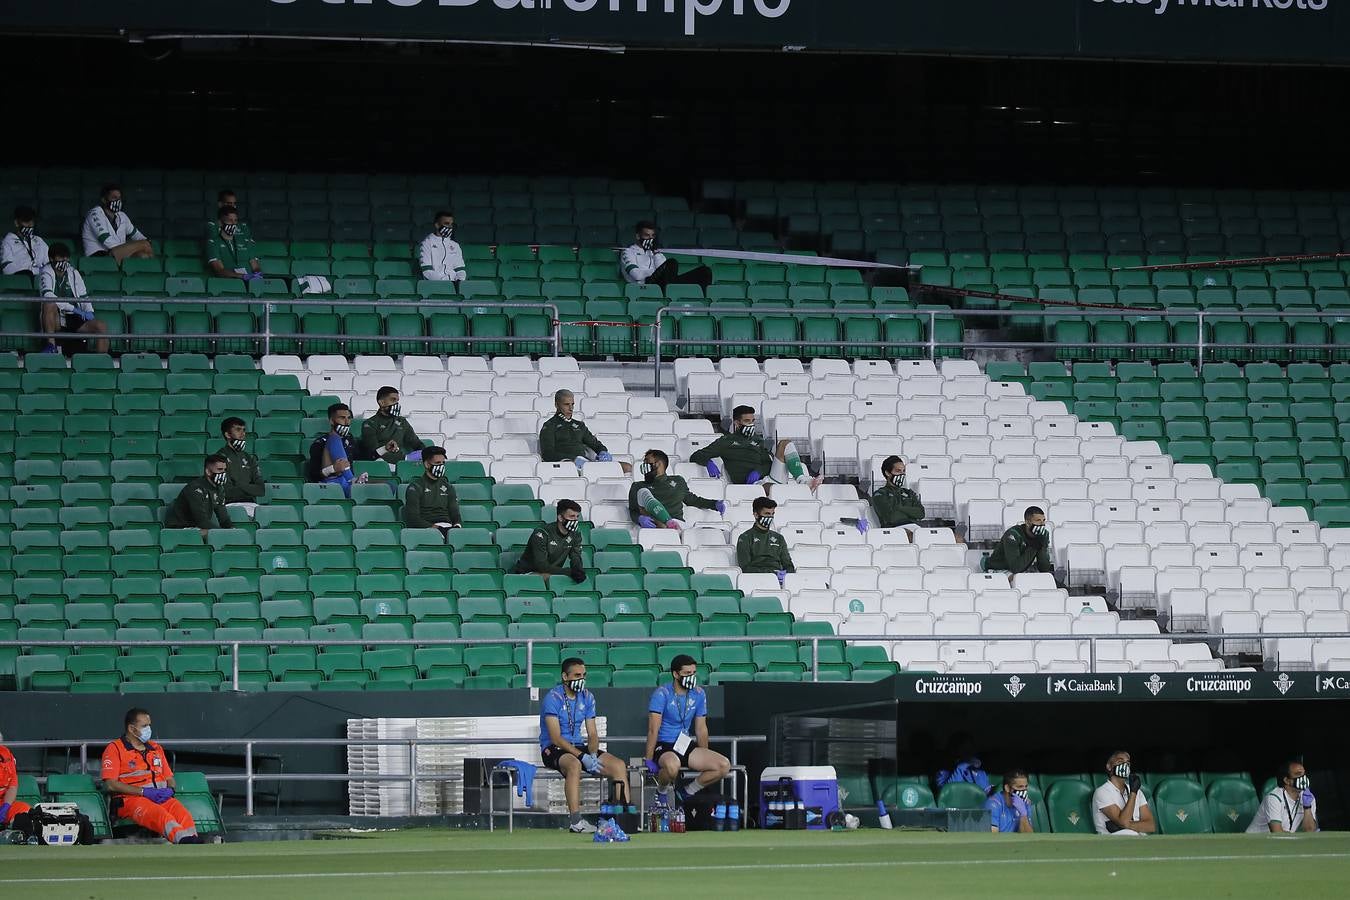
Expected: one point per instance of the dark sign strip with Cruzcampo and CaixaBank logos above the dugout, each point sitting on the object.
(1171, 686)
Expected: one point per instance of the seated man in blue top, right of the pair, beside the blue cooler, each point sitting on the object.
(677, 732)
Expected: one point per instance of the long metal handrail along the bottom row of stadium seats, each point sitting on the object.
(813, 639)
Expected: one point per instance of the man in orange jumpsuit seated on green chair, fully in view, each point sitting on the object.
(140, 783)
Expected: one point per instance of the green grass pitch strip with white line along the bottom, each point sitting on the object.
(751, 864)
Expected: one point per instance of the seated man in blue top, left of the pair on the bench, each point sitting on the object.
(565, 748)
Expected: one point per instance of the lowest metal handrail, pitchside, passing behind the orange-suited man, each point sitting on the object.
(250, 774)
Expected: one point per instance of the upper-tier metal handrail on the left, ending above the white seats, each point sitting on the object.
(268, 334)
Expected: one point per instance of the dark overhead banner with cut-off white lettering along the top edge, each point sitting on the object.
(1237, 30)
